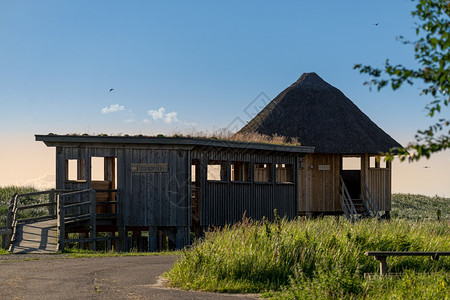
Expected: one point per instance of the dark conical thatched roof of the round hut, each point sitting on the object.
(321, 116)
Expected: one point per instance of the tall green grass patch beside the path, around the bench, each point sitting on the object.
(314, 259)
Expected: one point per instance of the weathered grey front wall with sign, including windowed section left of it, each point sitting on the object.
(144, 198)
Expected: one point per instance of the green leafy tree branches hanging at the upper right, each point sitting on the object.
(433, 72)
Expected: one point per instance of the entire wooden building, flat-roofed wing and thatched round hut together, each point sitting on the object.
(171, 187)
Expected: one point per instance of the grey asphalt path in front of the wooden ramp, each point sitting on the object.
(124, 277)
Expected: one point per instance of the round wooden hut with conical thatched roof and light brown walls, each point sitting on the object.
(345, 173)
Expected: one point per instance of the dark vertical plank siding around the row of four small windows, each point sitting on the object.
(225, 202)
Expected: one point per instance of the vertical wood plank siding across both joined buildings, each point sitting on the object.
(163, 198)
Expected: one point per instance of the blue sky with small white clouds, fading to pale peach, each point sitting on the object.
(202, 62)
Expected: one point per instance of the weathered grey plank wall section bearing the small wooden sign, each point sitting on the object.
(154, 199)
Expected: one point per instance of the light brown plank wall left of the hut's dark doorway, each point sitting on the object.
(318, 184)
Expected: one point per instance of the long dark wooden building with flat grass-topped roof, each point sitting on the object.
(174, 186)
